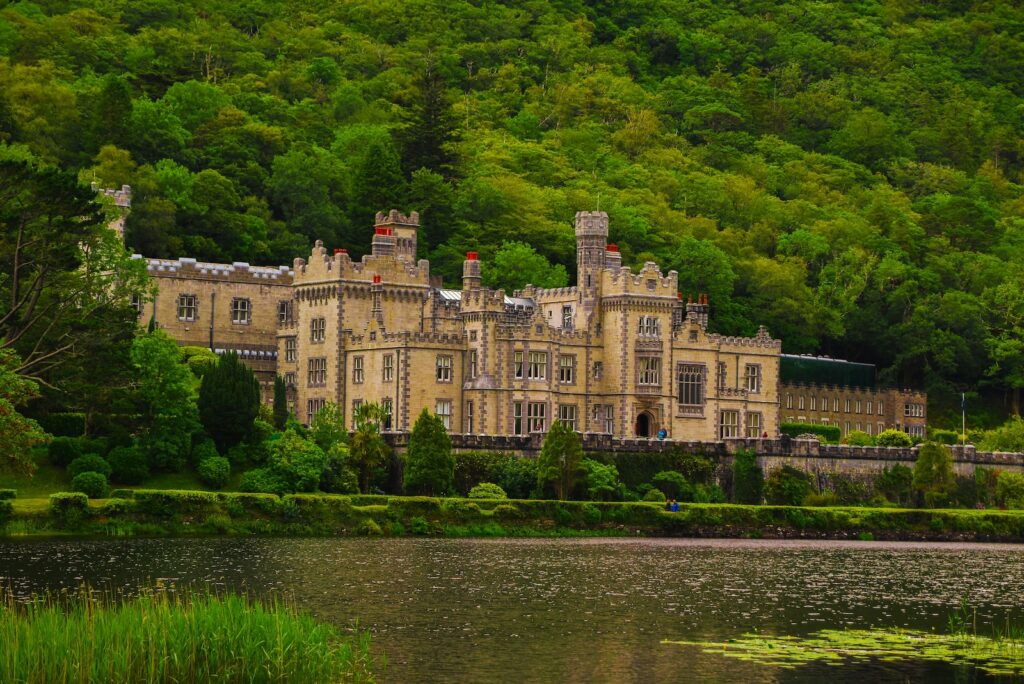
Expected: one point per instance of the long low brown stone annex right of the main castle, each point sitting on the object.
(867, 409)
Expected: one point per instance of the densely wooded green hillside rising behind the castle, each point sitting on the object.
(849, 175)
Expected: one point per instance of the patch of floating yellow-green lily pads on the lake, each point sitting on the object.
(1002, 654)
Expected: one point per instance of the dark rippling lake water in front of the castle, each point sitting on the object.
(586, 611)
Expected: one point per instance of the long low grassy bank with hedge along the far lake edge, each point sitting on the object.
(151, 512)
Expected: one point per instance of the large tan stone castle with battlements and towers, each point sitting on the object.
(620, 354)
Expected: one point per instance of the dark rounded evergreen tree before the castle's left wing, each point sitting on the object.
(229, 402)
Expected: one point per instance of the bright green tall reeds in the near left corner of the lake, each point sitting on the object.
(163, 637)
